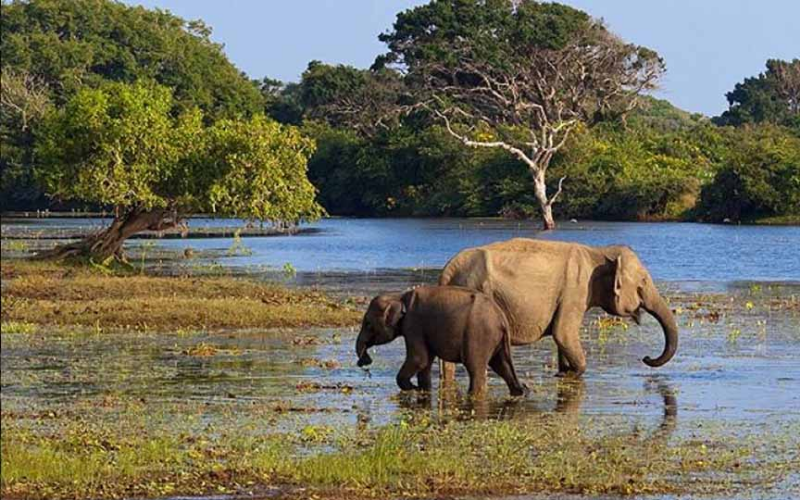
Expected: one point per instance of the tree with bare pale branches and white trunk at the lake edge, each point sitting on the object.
(530, 102)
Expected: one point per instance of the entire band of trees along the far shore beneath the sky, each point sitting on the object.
(534, 88)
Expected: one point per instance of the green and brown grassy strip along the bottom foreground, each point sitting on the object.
(551, 453)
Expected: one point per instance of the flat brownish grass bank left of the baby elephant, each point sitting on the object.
(52, 294)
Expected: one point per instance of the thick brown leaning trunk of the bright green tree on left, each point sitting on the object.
(108, 242)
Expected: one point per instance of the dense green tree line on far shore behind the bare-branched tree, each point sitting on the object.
(654, 162)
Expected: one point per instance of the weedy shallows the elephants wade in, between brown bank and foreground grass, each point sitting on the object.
(284, 381)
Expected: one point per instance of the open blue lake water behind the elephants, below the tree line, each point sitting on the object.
(675, 252)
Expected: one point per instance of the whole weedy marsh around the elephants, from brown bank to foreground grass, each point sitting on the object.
(95, 405)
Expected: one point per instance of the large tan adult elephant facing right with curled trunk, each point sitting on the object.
(545, 287)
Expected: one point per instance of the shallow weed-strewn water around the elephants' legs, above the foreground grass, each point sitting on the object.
(752, 377)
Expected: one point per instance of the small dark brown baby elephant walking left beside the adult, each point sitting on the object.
(454, 323)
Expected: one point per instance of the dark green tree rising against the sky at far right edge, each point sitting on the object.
(771, 97)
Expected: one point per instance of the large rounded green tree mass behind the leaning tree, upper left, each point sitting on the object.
(67, 45)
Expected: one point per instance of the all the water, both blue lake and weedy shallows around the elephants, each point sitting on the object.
(740, 370)
